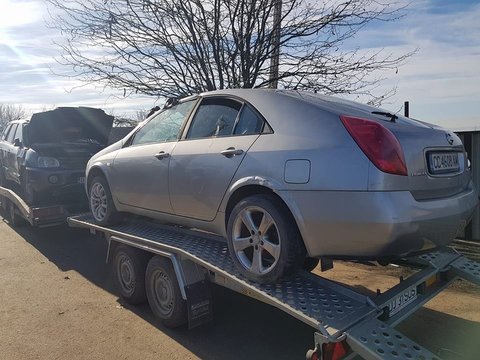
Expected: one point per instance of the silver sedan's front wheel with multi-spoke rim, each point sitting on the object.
(101, 202)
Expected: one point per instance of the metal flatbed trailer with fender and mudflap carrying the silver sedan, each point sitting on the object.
(347, 323)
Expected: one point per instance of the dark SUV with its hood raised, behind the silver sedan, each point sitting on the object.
(44, 158)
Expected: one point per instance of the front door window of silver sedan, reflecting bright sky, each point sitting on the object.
(165, 126)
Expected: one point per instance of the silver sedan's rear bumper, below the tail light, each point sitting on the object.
(355, 224)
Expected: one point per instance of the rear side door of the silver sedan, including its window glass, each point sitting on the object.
(205, 161)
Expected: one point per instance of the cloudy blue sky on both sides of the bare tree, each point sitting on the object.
(441, 81)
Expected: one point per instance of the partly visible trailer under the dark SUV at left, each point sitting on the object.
(18, 211)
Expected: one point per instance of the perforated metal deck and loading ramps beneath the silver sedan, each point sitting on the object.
(335, 311)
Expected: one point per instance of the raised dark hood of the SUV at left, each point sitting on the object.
(70, 124)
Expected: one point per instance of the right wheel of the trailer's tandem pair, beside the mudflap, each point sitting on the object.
(161, 281)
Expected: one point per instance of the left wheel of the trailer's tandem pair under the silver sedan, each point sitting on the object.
(129, 265)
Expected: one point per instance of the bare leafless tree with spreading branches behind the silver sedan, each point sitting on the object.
(179, 47)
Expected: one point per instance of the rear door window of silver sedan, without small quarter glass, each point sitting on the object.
(214, 118)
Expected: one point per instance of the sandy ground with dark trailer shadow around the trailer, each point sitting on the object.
(57, 301)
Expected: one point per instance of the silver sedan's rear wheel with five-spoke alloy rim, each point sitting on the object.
(263, 239)
